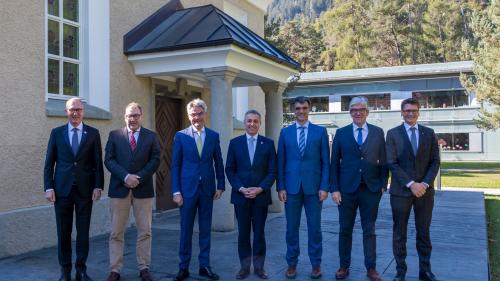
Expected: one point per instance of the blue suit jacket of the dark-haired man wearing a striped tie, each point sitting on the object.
(311, 171)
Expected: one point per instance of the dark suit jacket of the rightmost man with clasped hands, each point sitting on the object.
(404, 166)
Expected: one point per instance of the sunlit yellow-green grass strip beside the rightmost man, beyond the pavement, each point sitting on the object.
(470, 179)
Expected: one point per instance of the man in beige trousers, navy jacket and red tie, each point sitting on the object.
(132, 157)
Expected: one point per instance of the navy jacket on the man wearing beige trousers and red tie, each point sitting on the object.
(120, 160)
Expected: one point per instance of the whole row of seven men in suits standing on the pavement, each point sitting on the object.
(356, 173)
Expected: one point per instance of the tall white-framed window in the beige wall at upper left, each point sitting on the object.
(63, 47)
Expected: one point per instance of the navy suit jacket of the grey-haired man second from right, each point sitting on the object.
(350, 163)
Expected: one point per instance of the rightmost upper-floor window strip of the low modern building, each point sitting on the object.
(442, 99)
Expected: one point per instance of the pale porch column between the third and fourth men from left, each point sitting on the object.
(221, 120)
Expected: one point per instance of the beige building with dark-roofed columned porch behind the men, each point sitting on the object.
(57, 49)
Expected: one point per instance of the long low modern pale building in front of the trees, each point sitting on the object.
(445, 105)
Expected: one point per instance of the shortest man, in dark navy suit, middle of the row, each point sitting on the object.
(251, 170)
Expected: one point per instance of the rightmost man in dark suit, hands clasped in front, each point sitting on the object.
(413, 158)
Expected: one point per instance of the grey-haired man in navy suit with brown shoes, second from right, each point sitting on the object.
(358, 178)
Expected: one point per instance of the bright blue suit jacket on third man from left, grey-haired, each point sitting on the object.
(188, 167)
